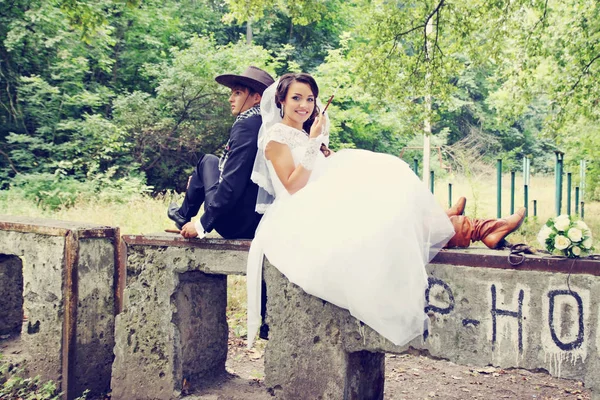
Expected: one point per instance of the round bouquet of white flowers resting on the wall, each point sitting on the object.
(567, 236)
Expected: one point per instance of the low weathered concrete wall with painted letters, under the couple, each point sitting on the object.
(538, 314)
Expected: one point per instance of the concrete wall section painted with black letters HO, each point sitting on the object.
(511, 318)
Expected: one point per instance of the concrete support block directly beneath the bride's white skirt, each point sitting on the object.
(306, 357)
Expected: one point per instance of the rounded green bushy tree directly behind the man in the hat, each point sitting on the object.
(189, 113)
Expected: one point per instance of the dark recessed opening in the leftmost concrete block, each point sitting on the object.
(11, 293)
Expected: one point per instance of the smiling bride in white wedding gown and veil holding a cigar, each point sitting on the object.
(355, 228)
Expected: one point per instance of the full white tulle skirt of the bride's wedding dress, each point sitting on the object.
(358, 236)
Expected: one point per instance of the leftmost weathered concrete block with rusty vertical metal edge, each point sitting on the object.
(68, 297)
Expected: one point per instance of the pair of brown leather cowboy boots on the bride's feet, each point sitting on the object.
(490, 231)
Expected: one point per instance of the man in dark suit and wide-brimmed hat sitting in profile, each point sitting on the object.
(223, 184)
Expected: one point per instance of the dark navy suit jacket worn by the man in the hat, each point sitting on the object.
(232, 209)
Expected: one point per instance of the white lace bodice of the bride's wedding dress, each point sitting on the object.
(297, 141)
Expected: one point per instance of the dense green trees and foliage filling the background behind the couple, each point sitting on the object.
(125, 88)
